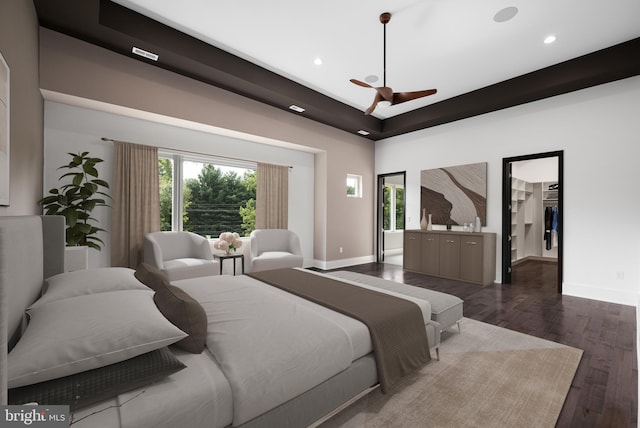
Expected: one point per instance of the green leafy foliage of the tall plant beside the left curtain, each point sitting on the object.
(77, 199)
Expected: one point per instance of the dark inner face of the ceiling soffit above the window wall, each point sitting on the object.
(189, 56)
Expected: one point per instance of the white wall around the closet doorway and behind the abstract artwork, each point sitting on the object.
(598, 130)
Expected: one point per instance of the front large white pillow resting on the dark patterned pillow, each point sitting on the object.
(86, 332)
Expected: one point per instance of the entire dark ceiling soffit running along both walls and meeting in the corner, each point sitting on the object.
(116, 28)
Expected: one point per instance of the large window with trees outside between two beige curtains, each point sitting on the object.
(211, 195)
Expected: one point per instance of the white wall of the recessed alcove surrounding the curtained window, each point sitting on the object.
(74, 129)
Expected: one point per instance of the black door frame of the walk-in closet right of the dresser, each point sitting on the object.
(506, 211)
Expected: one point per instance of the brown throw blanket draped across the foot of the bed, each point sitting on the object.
(396, 325)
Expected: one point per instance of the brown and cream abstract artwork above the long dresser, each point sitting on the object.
(454, 195)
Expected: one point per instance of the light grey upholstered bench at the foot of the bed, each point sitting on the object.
(446, 309)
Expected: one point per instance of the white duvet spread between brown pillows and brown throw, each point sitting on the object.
(270, 348)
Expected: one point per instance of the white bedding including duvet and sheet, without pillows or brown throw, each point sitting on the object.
(267, 346)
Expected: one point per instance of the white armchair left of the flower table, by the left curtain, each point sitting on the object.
(180, 255)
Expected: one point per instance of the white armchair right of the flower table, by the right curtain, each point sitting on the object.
(274, 249)
